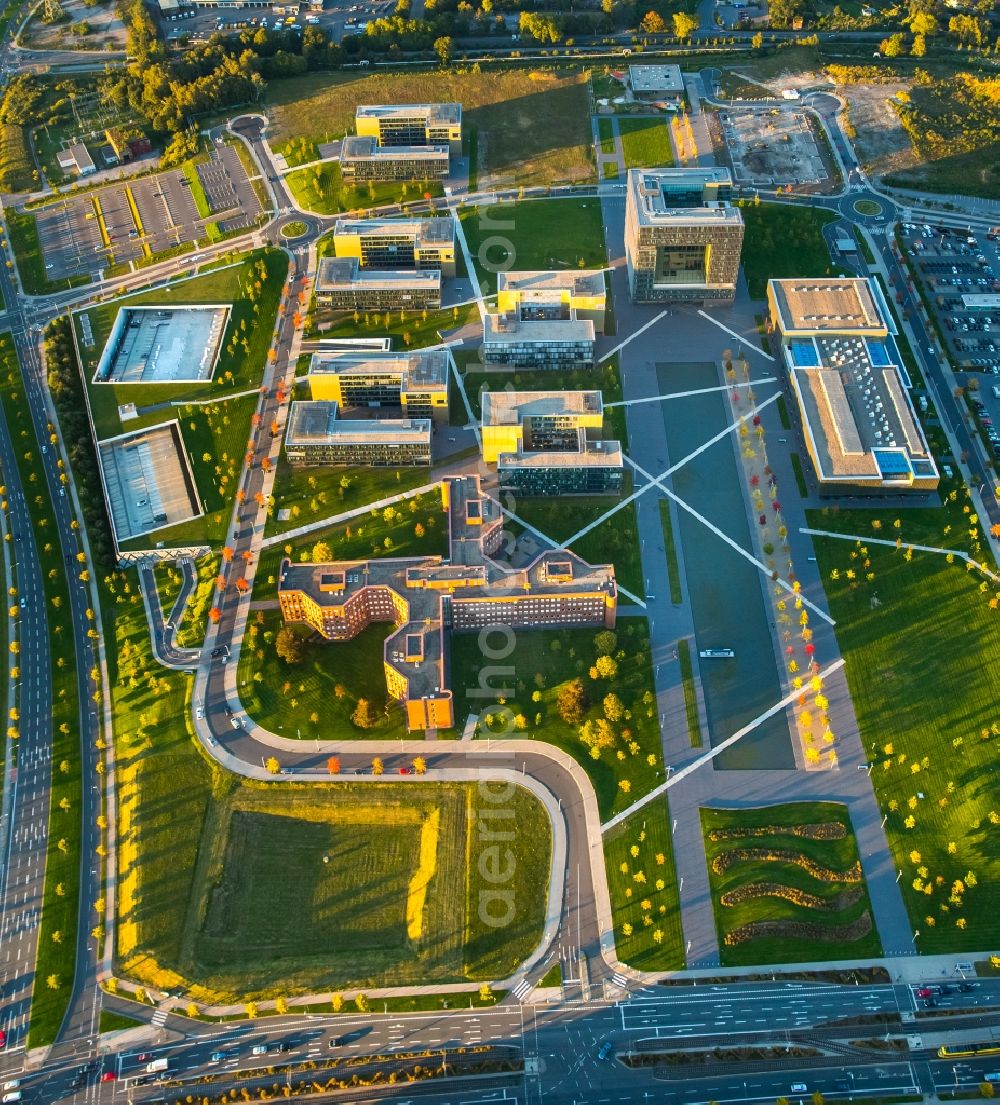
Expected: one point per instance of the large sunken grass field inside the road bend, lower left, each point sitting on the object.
(245, 858)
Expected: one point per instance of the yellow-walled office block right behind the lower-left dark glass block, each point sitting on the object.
(417, 383)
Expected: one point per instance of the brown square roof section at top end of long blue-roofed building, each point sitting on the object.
(837, 304)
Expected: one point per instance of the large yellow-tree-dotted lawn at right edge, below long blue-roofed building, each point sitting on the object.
(925, 696)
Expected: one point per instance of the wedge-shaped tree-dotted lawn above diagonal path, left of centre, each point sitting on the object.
(315, 493)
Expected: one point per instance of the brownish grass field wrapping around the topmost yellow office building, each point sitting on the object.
(533, 127)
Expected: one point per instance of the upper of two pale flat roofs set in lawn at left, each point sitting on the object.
(163, 345)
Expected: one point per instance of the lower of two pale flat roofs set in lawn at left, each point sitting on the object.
(148, 481)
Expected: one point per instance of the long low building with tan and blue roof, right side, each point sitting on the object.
(861, 430)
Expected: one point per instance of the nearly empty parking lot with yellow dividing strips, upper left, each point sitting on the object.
(133, 220)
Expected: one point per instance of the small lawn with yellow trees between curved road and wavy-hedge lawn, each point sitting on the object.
(643, 882)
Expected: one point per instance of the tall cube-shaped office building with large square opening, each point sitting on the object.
(683, 237)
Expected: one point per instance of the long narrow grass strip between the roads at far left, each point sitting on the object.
(57, 935)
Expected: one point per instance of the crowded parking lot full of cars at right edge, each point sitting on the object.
(961, 272)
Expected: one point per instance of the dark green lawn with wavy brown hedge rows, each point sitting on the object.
(822, 913)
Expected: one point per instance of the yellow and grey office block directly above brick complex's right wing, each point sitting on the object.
(549, 444)
